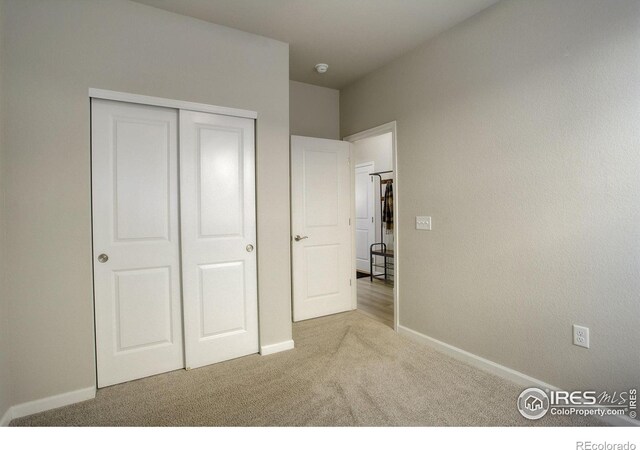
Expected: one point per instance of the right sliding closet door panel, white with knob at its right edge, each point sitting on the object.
(217, 191)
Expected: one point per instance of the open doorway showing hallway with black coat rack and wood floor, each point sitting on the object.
(375, 214)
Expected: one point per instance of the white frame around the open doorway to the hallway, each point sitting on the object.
(390, 127)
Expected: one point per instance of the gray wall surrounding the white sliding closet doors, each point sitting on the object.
(54, 52)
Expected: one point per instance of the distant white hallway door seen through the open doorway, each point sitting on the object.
(365, 210)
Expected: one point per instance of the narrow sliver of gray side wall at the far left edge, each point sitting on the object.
(5, 384)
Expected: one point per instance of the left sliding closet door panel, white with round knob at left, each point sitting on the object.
(136, 240)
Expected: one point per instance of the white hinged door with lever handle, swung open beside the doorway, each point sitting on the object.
(321, 245)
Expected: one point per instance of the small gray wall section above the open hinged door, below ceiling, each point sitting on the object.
(314, 111)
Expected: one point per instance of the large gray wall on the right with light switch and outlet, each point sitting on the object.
(518, 131)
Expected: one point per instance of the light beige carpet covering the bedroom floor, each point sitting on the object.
(346, 370)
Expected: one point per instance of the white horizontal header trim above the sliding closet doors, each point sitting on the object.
(168, 103)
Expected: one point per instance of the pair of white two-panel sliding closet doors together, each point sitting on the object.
(174, 230)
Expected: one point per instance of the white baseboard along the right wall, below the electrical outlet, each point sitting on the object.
(514, 376)
